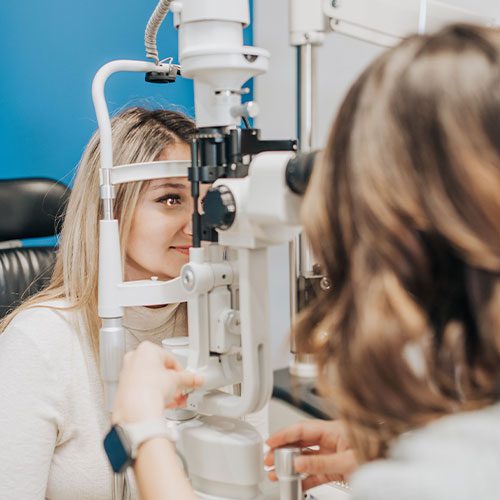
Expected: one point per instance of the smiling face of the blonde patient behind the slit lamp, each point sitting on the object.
(160, 234)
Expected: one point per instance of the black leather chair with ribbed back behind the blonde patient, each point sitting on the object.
(29, 208)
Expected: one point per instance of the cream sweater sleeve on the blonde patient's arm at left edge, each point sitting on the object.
(29, 416)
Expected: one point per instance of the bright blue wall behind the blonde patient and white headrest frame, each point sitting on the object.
(50, 52)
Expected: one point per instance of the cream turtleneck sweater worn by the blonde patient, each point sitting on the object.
(52, 417)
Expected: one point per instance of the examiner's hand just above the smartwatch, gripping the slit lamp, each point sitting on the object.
(151, 380)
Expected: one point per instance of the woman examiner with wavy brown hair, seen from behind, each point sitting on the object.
(404, 214)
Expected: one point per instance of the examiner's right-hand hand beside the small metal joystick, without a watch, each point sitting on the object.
(334, 460)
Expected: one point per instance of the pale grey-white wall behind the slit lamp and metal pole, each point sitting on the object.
(339, 61)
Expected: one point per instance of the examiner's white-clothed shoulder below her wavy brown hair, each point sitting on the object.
(456, 457)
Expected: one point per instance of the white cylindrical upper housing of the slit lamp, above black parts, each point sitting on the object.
(211, 52)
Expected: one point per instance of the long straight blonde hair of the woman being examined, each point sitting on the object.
(139, 135)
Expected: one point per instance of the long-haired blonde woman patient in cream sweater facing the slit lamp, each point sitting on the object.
(52, 418)
